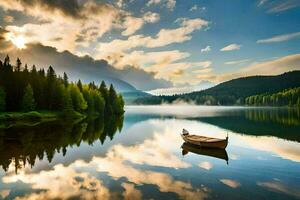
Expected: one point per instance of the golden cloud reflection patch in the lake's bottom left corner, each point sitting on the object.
(61, 182)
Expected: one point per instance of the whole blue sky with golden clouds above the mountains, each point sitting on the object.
(189, 44)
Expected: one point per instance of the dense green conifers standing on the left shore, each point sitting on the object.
(24, 89)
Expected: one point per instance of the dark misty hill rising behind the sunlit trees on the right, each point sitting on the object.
(234, 91)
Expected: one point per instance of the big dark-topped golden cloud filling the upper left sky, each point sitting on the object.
(78, 24)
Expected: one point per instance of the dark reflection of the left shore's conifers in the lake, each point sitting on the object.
(22, 145)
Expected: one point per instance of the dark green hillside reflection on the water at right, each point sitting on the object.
(282, 123)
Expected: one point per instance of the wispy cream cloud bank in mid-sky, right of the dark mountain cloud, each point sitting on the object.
(164, 64)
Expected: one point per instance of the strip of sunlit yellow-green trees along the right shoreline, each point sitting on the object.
(288, 97)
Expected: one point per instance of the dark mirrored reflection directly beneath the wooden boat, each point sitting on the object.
(212, 152)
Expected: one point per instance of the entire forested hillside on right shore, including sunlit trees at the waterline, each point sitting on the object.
(280, 90)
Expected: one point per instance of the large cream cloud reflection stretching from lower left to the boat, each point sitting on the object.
(158, 150)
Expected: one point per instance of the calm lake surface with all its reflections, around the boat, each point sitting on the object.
(143, 157)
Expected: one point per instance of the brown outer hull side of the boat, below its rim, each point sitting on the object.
(220, 144)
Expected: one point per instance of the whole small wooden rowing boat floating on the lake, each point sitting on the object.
(204, 141)
